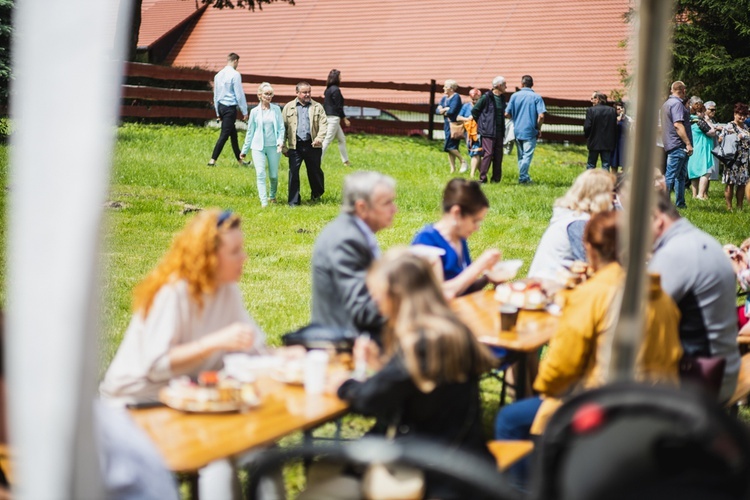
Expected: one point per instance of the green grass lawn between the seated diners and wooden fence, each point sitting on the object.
(159, 170)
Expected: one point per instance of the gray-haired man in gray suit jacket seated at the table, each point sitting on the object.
(345, 249)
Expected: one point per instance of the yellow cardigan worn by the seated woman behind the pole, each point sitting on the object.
(578, 354)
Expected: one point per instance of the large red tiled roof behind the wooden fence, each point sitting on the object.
(570, 48)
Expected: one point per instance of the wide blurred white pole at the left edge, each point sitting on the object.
(67, 63)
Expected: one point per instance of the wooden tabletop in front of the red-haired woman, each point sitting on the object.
(189, 441)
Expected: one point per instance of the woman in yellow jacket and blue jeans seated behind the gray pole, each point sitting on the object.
(579, 353)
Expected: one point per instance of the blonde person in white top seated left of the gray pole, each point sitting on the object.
(562, 242)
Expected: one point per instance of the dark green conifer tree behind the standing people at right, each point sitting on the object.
(712, 50)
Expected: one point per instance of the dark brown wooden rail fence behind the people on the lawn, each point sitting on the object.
(563, 122)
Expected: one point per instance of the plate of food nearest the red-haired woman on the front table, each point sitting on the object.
(213, 394)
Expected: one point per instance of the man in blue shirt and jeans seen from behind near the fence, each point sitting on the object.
(526, 108)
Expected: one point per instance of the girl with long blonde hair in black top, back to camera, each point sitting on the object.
(428, 384)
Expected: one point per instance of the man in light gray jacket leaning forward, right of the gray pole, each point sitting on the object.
(699, 277)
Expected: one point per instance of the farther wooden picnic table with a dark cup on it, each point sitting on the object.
(479, 311)
